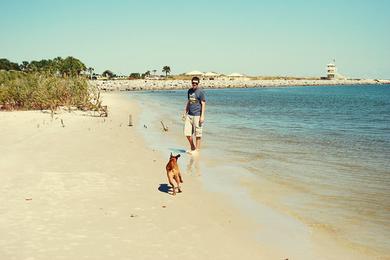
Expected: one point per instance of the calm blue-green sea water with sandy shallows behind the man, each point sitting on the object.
(319, 154)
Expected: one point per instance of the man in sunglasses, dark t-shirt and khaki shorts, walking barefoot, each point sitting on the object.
(194, 115)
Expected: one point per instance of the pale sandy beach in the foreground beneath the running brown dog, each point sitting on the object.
(77, 186)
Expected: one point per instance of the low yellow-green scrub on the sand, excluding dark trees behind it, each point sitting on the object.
(26, 91)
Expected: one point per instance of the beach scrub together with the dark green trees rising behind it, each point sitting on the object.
(46, 84)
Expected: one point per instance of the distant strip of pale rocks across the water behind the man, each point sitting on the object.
(142, 84)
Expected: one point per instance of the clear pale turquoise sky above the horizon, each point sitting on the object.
(279, 37)
